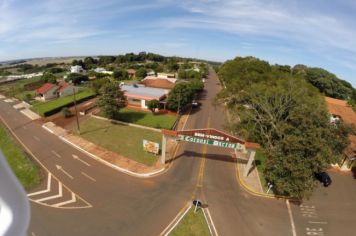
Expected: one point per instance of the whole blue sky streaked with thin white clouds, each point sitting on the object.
(319, 33)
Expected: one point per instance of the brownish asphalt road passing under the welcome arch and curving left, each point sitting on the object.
(113, 203)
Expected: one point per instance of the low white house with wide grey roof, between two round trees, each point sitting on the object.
(139, 95)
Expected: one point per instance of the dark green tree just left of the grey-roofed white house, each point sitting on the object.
(111, 100)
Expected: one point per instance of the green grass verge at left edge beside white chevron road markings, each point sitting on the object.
(25, 170)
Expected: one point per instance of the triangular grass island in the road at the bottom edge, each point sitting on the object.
(193, 224)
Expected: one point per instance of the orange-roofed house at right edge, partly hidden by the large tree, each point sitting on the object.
(339, 109)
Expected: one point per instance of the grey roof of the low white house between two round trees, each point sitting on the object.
(146, 93)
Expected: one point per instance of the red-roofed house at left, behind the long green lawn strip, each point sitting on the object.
(50, 91)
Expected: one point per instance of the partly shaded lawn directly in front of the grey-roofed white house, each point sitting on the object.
(147, 118)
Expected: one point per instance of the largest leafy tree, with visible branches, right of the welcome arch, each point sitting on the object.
(289, 118)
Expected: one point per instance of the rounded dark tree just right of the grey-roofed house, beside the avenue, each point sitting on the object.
(180, 96)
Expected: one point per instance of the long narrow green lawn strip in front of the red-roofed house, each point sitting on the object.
(46, 108)
